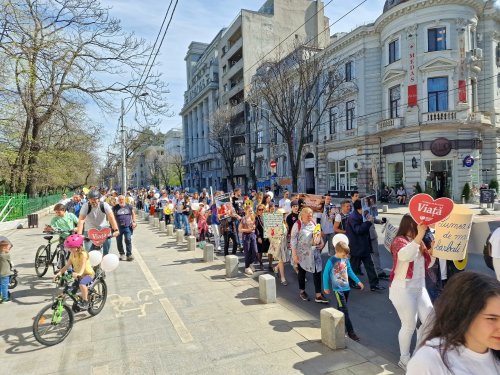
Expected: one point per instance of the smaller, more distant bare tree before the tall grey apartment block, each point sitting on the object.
(223, 138)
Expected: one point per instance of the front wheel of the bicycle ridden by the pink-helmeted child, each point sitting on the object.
(49, 328)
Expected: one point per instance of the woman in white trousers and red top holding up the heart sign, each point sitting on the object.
(407, 291)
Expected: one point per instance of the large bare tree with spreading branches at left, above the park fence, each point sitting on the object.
(62, 52)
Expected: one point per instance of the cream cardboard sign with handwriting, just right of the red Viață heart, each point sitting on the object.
(452, 234)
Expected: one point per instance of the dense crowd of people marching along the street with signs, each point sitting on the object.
(460, 323)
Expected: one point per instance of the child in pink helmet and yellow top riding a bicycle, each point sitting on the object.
(80, 262)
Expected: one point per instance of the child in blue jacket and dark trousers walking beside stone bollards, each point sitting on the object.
(336, 275)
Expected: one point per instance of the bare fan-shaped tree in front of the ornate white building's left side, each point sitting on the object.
(299, 88)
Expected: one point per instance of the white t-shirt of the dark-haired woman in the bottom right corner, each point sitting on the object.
(462, 361)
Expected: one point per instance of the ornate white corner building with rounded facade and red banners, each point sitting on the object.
(424, 105)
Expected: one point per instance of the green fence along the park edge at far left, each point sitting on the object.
(17, 206)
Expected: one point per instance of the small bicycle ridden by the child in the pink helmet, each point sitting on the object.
(54, 322)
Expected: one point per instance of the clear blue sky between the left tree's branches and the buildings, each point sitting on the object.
(200, 20)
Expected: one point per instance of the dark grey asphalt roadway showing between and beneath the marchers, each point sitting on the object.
(374, 318)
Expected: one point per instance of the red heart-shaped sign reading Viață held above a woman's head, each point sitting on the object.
(424, 209)
